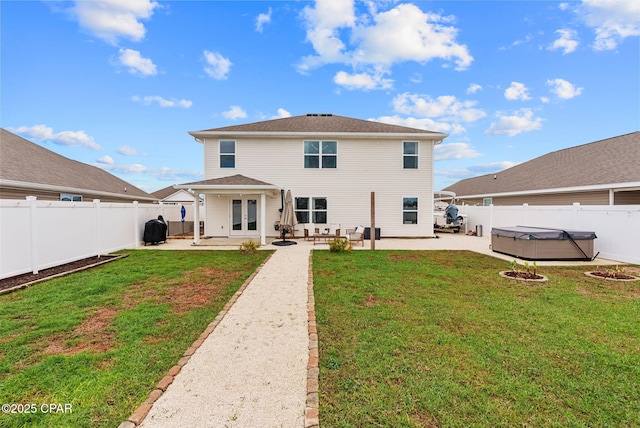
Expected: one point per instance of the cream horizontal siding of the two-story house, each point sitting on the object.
(363, 166)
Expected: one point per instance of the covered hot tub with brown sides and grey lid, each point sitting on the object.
(535, 243)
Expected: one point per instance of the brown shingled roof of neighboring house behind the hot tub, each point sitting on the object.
(613, 162)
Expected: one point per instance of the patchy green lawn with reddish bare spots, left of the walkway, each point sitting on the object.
(101, 339)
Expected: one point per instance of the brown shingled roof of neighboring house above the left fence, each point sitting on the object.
(30, 166)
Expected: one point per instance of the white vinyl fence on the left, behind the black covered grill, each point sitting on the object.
(36, 235)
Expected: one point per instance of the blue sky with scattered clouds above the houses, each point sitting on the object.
(119, 83)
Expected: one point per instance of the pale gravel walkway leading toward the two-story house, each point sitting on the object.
(251, 371)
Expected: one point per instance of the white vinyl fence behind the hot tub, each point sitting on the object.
(617, 227)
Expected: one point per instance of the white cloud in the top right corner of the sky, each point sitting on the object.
(612, 20)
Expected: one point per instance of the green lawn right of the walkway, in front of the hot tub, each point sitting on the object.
(413, 339)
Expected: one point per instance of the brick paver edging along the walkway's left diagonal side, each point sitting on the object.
(137, 417)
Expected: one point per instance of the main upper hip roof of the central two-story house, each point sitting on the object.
(319, 123)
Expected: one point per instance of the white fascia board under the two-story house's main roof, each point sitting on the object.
(434, 137)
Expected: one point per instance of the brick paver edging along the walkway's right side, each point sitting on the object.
(311, 414)
